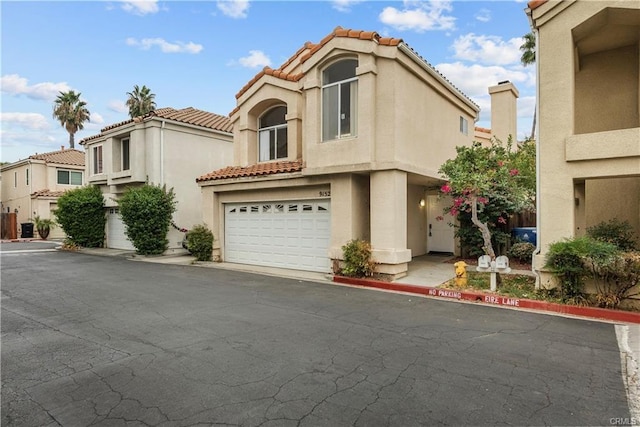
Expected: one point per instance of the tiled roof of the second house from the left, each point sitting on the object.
(187, 115)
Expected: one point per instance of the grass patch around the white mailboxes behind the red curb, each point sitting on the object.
(513, 285)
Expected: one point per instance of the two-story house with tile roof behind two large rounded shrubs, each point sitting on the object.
(165, 147)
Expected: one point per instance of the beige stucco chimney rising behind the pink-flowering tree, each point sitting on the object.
(504, 111)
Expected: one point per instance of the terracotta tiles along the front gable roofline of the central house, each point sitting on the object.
(309, 49)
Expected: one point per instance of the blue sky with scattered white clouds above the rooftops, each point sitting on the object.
(201, 53)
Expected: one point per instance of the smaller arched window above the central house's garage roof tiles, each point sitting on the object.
(273, 134)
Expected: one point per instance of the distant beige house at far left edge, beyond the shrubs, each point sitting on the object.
(31, 187)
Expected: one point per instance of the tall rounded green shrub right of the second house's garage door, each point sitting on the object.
(146, 212)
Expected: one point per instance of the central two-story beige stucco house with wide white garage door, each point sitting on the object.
(343, 141)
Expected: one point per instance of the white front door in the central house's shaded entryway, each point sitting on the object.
(440, 235)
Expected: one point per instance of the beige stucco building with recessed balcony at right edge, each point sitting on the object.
(589, 116)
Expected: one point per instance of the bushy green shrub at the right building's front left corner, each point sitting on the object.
(574, 260)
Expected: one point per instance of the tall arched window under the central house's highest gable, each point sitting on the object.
(339, 100)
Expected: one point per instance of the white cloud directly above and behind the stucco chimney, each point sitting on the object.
(474, 80)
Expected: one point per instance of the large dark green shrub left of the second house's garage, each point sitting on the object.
(81, 215)
